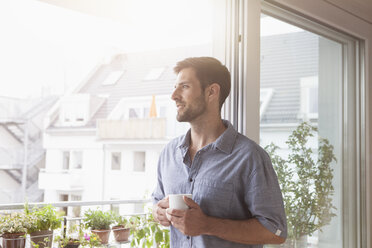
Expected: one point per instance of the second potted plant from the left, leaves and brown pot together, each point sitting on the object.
(44, 221)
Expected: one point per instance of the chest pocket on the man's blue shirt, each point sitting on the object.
(214, 197)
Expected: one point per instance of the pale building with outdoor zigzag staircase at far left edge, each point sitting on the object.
(21, 152)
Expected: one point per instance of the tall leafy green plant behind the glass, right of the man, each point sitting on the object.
(306, 184)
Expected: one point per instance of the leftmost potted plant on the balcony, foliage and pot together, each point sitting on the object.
(13, 229)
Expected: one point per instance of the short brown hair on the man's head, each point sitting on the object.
(208, 70)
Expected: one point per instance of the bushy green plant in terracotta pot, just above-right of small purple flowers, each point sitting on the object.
(99, 222)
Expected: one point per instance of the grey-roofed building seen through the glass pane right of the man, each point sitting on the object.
(289, 85)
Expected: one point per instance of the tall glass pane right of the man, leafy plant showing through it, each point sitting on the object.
(304, 71)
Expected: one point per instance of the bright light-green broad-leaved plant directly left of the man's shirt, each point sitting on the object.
(146, 231)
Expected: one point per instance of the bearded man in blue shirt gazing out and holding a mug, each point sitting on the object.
(236, 199)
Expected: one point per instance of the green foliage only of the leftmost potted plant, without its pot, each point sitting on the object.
(14, 223)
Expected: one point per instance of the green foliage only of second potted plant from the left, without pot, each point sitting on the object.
(45, 218)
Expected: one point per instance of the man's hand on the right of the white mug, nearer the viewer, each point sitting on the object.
(191, 222)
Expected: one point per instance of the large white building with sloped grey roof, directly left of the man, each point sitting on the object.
(100, 142)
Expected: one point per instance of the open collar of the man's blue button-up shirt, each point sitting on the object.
(224, 143)
